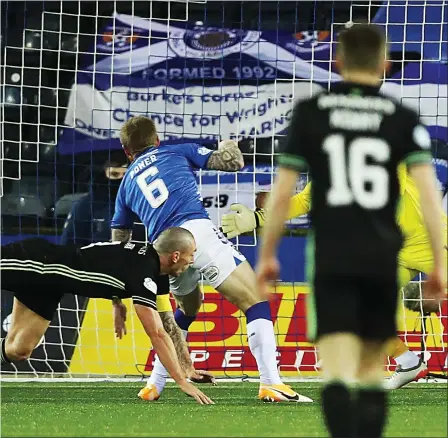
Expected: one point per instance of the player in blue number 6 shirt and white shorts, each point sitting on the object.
(160, 187)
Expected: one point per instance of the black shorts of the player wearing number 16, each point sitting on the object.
(364, 306)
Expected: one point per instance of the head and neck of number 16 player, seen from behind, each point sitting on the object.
(362, 52)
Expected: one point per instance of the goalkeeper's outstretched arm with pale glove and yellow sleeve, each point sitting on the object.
(244, 220)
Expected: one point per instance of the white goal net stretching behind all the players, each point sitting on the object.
(203, 71)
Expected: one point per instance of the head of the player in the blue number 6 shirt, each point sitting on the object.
(137, 134)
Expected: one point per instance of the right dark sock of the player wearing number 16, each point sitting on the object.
(371, 412)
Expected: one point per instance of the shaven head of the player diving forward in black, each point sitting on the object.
(176, 247)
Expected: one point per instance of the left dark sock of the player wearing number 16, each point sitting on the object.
(338, 410)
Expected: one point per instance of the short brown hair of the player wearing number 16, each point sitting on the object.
(362, 47)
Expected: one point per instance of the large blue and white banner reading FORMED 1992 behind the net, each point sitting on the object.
(204, 83)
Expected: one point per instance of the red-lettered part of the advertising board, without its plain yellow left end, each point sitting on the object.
(218, 340)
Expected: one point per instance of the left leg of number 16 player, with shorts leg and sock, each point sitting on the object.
(332, 308)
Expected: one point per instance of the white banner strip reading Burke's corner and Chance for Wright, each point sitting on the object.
(192, 112)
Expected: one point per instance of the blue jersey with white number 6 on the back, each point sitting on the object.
(160, 188)
